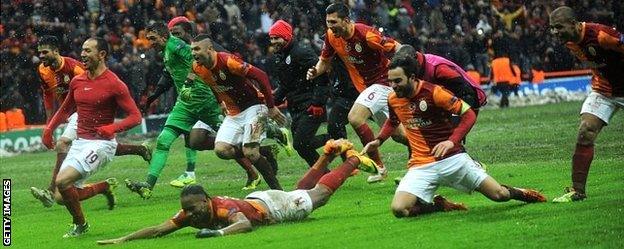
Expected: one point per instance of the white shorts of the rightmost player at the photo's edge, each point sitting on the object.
(602, 106)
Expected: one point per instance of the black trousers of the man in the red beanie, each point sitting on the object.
(304, 127)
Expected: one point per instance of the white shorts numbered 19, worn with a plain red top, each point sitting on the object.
(87, 156)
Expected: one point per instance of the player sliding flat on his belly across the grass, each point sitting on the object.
(218, 216)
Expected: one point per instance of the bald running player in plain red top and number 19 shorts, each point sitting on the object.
(96, 96)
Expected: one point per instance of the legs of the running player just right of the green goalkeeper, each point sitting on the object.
(227, 151)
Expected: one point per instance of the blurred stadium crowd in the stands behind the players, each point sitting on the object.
(468, 32)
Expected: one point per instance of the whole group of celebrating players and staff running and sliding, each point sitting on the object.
(225, 104)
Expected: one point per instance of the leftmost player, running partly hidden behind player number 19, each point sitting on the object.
(56, 72)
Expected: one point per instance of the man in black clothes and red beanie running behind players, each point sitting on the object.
(306, 98)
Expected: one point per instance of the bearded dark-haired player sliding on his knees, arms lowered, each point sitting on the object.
(438, 157)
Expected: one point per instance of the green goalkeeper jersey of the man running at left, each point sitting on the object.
(179, 62)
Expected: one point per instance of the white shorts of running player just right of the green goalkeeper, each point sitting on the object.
(245, 127)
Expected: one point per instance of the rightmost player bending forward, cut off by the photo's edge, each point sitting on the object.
(602, 48)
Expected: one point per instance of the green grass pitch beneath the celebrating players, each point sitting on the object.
(525, 147)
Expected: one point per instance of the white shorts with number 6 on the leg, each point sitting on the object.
(375, 98)
